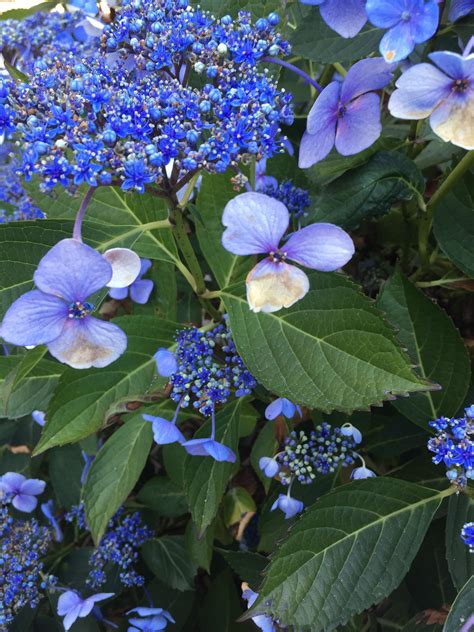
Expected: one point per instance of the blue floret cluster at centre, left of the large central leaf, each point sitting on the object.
(208, 369)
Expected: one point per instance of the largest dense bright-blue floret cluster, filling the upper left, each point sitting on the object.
(172, 87)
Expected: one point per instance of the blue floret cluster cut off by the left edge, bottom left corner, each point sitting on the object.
(22, 545)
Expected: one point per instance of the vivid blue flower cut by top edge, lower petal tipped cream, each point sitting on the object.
(410, 22)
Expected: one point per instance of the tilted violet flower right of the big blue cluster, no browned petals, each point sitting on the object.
(346, 114)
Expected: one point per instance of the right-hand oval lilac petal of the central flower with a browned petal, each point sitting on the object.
(323, 247)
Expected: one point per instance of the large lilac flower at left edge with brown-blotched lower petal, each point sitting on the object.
(57, 314)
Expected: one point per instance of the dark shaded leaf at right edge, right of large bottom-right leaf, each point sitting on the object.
(460, 561)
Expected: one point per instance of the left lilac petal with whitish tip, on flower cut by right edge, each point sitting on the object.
(418, 92)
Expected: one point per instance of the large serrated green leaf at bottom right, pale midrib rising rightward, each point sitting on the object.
(348, 551)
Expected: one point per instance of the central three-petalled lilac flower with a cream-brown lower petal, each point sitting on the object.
(255, 224)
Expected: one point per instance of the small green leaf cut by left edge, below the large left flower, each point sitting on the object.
(34, 391)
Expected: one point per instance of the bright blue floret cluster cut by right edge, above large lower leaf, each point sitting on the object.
(453, 445)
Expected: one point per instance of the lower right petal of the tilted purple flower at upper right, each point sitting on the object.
(360, 126)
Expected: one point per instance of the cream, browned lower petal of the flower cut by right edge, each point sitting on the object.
(453, 121)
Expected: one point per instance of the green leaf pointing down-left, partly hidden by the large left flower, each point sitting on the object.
(84, 399)
